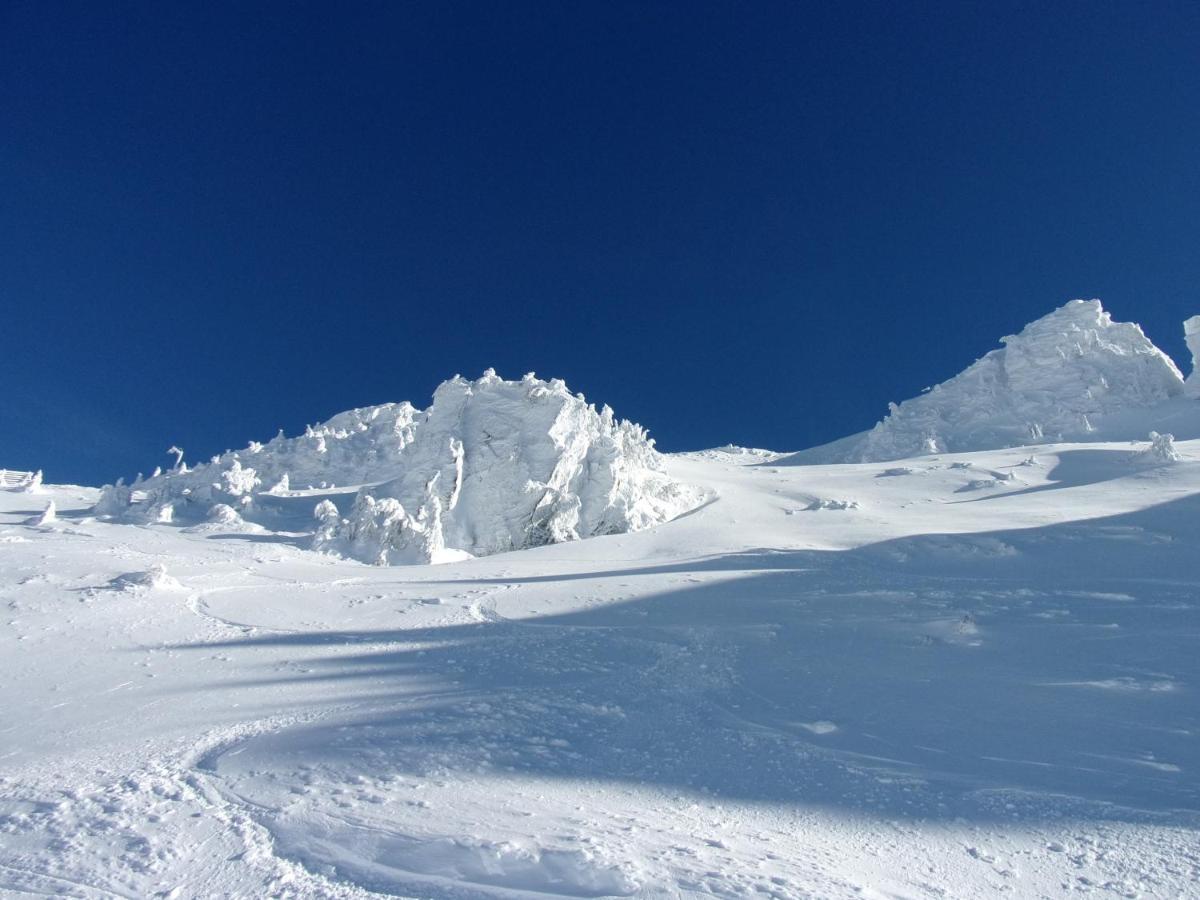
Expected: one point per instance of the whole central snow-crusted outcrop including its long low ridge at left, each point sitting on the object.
(491, 466)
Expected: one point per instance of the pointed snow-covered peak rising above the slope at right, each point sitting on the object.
(1075, 375)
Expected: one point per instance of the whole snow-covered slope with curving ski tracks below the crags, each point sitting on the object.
(967, 676)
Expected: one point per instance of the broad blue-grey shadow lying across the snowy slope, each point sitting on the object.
(921, 677)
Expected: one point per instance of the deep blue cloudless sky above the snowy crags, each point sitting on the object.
(746, 223)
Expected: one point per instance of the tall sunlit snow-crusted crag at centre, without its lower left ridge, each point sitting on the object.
(499, 466)
